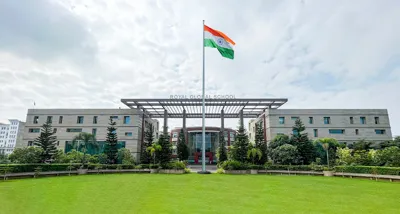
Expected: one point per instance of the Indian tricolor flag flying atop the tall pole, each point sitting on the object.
(217, 39)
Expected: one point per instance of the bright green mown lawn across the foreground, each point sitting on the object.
(148, 193)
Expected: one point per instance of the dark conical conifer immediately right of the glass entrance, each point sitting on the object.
(240, 146)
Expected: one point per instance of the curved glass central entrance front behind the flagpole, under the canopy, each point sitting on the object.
(194, 139)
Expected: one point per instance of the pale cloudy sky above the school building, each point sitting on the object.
(90, 54)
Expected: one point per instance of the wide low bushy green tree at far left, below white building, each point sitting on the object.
(29, 154)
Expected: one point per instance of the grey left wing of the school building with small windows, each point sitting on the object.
(67, 123)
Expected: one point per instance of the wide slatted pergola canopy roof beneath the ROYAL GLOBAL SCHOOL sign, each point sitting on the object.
(214, 108)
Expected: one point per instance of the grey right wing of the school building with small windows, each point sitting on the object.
(345, 125)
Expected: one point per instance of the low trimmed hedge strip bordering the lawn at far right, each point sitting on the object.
(369, 170)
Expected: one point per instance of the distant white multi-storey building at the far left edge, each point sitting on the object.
(10, 135)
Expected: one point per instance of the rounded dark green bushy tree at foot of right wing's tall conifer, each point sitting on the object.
(285, 154)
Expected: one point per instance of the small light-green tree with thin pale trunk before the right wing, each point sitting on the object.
(326, 154)
